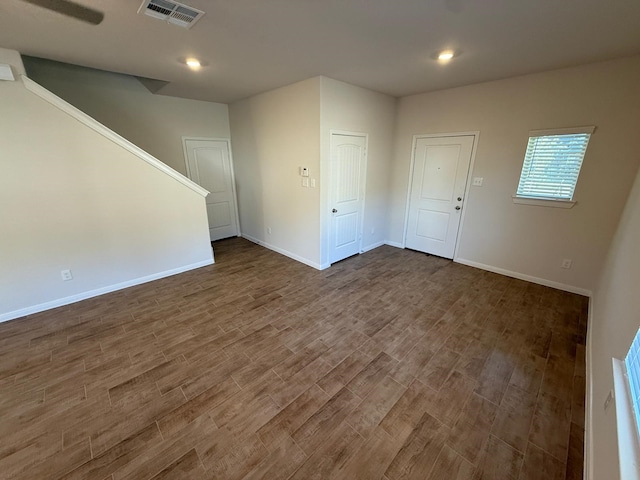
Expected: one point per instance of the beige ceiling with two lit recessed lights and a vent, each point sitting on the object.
(252, 46)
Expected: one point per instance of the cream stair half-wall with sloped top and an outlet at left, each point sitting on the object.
(72, 199)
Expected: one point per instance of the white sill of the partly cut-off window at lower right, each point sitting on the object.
(628, 448)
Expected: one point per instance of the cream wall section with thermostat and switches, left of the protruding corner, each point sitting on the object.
(272, 134)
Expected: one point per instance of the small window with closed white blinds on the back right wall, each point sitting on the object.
(552, 164)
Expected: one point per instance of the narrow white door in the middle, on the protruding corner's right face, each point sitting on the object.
(348, 169)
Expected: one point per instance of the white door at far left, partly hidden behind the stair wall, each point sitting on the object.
(209, 165)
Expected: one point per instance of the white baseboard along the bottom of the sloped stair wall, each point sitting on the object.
(99, 291)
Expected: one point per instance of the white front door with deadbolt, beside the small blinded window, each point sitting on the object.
(440, 168)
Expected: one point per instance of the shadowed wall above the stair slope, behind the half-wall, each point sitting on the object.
(155, 123)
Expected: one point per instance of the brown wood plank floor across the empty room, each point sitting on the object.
(389, 365)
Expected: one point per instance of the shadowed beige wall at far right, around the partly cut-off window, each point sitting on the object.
(615, 318)
